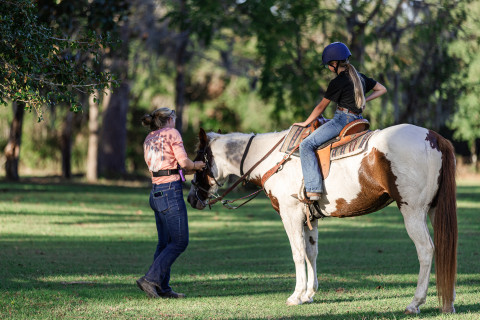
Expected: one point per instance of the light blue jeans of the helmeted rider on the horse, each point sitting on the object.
(310, 168)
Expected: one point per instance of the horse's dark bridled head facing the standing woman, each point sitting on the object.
(205, 183)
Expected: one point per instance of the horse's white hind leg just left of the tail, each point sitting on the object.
(416, 225)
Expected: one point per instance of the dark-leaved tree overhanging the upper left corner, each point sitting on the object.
(43, 67)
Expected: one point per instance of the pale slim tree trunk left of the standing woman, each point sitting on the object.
(92, 153)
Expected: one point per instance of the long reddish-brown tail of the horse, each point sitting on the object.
(445, 227)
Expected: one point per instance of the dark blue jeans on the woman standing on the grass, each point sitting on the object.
(167, 202)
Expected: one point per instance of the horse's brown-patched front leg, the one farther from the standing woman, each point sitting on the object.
(311, 244)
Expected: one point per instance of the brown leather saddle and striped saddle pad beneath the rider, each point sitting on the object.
(351, 141)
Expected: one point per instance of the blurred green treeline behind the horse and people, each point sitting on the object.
(245, 65)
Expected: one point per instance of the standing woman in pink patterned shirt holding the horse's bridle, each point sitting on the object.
(164, 152)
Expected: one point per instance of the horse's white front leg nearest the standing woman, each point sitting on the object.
(293, 223)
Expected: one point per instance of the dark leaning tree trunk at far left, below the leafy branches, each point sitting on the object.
(12, 149)
